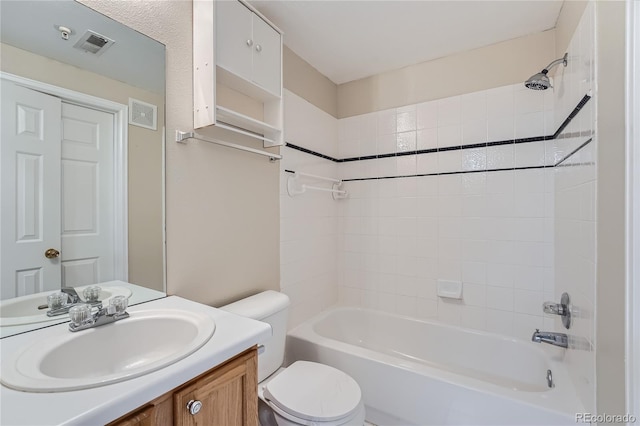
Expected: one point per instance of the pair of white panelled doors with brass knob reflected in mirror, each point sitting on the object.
(57, 179)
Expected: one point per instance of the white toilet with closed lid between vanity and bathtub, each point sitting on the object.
(305, 393)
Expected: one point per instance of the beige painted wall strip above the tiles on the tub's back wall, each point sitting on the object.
(492, 66)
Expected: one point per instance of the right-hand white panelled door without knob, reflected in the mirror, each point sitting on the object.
(87, 197)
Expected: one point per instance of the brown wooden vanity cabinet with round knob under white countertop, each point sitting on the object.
(228, 395)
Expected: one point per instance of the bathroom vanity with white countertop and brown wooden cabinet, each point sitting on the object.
(217, 382)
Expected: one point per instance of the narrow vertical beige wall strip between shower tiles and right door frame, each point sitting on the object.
(610, 289)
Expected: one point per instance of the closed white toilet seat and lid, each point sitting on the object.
(311, 393)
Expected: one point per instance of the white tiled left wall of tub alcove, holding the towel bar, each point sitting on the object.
(309, 222)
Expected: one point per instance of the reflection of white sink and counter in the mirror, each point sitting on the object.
(24, 310)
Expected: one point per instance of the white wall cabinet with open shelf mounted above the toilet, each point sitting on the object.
(247, 52)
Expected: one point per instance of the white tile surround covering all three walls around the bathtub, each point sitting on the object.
(515, 238)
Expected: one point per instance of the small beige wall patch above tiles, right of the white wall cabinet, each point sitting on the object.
(307, 82)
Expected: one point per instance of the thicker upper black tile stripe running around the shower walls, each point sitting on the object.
(558, 132)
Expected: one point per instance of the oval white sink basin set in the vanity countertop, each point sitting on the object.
(146, 341)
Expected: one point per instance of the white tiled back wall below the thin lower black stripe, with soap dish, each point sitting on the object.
(458, 227)
